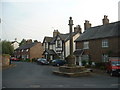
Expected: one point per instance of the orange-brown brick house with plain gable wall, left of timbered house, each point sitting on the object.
(29, 50)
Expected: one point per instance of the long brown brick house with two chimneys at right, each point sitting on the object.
(98, 43)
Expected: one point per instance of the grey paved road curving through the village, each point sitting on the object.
(31, 75)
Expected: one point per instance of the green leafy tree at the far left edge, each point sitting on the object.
(7, 48)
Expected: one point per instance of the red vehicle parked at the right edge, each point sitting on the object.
(113, 66)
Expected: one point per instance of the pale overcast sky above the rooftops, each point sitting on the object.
(35, 19)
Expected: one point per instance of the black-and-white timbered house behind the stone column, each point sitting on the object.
(58, 45)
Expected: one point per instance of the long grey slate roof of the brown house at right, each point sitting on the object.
(103, 31)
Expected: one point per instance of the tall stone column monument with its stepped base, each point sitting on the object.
(71, 69)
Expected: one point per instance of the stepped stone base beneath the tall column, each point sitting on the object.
(72, 71)
